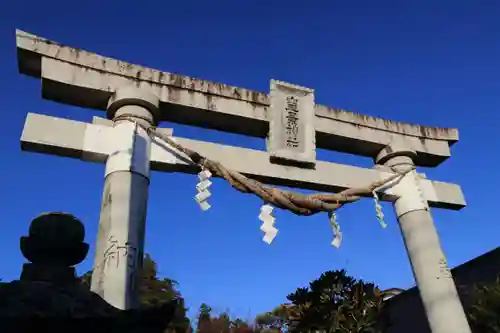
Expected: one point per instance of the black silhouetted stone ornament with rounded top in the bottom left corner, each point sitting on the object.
(50, 298)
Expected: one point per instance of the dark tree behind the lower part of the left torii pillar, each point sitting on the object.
(155, 291)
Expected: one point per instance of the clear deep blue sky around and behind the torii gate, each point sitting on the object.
(426, 62)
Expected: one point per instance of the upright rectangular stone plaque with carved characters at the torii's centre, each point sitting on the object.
(292, 137)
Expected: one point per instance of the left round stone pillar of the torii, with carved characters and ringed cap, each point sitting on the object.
(120, 239)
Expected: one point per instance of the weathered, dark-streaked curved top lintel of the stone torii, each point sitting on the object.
(76, 77)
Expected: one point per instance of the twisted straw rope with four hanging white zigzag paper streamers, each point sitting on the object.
(297, 203)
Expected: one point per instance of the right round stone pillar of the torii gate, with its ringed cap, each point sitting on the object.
(437, 288)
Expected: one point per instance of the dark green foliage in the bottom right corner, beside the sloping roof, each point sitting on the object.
(484, 314)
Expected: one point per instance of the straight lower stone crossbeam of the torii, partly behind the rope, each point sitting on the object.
(63, 137)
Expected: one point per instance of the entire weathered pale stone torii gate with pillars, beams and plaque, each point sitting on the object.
(288, 117)
